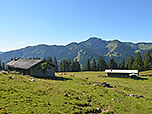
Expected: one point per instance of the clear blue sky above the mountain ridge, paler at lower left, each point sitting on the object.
(31, 22)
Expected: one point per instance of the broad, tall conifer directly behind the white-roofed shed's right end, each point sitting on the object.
(138, 63)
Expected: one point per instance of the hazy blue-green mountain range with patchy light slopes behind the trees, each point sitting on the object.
(91, 48)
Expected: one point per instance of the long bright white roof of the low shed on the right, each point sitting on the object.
(121, 71)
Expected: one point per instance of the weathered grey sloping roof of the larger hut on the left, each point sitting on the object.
(23, 63)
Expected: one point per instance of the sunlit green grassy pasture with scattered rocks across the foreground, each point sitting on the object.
(74, 95)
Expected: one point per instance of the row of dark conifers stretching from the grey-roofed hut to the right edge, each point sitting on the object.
(137, 63)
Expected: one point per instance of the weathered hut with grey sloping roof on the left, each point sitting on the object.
(31, 67)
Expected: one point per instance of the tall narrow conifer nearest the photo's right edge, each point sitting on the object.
(147, 61)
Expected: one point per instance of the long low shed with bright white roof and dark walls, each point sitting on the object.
(121, 73)
